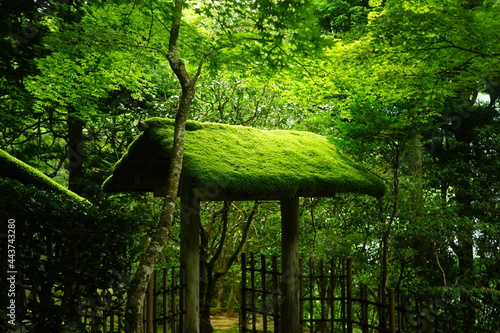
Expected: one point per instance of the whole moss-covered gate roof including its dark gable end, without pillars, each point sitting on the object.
(240, 163)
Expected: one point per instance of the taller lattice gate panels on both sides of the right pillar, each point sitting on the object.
(326, 302)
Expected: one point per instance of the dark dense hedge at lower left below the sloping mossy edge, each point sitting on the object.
(68, 256)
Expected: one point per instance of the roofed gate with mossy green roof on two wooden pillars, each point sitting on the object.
(237, 163)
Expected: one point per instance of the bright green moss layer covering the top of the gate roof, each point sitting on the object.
(243, 160)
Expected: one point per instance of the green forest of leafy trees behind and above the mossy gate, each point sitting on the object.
(410, 89)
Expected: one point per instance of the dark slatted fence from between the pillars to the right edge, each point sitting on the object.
(331, 301)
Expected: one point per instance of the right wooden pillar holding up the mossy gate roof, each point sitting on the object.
(290, 265)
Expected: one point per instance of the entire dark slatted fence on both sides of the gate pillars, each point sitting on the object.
(330, 301)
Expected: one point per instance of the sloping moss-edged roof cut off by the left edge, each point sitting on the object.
(11, 167)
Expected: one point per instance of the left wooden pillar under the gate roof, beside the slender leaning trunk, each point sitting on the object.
(190, 260)
